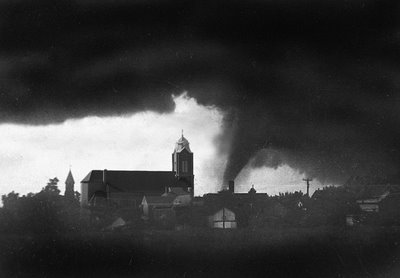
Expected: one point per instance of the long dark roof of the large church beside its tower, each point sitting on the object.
(133, 180)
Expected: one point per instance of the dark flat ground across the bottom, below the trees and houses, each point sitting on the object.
(317, 252)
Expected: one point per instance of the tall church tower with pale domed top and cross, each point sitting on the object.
(182, 163)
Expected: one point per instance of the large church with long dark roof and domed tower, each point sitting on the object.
(127, 188)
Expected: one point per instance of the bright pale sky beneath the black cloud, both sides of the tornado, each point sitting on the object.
(30, 155)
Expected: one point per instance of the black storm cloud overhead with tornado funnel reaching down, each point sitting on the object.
(311, 84)
